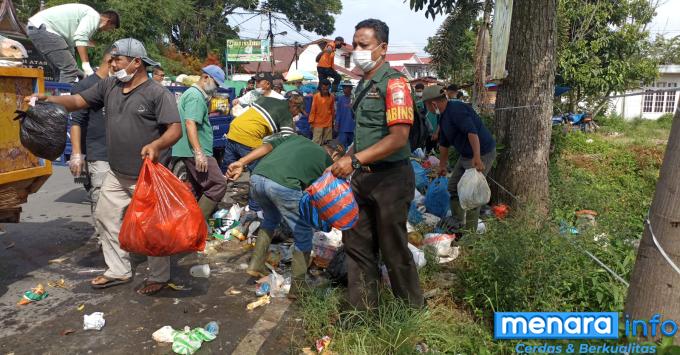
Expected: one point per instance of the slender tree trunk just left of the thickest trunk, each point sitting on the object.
(481, 56)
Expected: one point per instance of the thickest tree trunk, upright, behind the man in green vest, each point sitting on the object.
(523, 133)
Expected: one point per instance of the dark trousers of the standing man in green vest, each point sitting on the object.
(383, 198)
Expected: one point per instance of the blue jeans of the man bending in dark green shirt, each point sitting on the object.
(280, 202)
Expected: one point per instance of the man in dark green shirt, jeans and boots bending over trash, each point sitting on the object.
(288, 166)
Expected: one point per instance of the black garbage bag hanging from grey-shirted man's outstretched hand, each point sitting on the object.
(43, 129)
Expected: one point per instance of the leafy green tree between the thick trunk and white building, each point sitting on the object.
(601, 48)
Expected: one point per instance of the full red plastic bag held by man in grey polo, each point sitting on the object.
(163, 218)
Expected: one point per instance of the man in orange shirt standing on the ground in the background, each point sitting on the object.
(322, 113)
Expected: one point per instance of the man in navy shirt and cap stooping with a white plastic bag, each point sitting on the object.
(460, 127)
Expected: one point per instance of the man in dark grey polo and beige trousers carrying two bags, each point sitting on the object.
(142, 122)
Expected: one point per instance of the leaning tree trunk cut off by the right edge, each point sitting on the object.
(654, 285)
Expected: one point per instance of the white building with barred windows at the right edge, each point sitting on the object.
(652, 105)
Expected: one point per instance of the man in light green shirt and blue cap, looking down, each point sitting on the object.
(195, 146)
